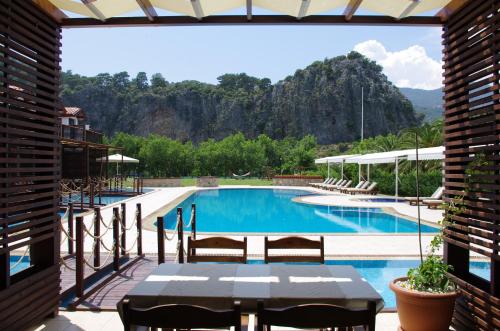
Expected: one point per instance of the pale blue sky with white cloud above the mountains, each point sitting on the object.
(410, 56)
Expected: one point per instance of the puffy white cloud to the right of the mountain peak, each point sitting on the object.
(410, 67)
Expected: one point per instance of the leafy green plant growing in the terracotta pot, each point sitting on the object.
(432, 274)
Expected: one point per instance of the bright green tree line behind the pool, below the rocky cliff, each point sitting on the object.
(160, 156)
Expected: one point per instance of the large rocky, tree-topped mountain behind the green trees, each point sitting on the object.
(322, 99)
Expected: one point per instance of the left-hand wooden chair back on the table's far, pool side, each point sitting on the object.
(217, 243)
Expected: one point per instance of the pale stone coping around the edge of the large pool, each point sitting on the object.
(149, 220)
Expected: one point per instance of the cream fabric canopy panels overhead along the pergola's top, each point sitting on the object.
(104, 9)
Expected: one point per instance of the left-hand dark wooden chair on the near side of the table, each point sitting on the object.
(181, 316)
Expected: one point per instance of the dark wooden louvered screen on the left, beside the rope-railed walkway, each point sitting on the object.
(30, 163)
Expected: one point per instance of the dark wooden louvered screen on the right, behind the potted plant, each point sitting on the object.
(472, 165)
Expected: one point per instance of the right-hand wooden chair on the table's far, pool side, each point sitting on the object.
(294, 243)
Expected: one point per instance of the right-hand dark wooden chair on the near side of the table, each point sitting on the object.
(318, 316)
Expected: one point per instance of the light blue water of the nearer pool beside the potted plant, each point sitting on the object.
(380, 272)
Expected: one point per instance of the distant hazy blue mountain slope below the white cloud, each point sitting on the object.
(427, 102)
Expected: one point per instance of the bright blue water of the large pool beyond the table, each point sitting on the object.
(273, 211)
